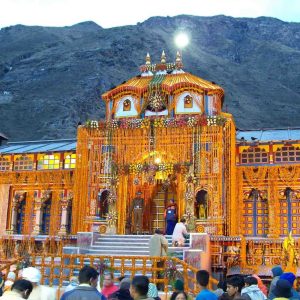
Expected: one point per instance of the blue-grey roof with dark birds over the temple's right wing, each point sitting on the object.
(268, 135)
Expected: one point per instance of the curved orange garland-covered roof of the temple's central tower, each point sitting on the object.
(169, 83)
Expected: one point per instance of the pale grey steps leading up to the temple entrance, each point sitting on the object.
(129, 245)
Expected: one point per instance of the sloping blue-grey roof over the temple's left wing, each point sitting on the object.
(38, 146)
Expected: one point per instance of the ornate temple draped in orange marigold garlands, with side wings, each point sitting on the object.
(165, 135)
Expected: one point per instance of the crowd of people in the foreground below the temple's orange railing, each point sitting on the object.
(86, 286)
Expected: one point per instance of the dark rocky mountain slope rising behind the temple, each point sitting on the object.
(53, 78)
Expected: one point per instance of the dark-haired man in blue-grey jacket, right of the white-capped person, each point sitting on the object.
(88, 278)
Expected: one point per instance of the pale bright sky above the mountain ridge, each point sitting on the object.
(112, 13)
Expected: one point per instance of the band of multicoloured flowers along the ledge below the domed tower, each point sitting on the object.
(161, 122)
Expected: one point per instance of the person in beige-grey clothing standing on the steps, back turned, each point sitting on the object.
(158, 246)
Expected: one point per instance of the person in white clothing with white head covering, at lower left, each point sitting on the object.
(39, 291)
